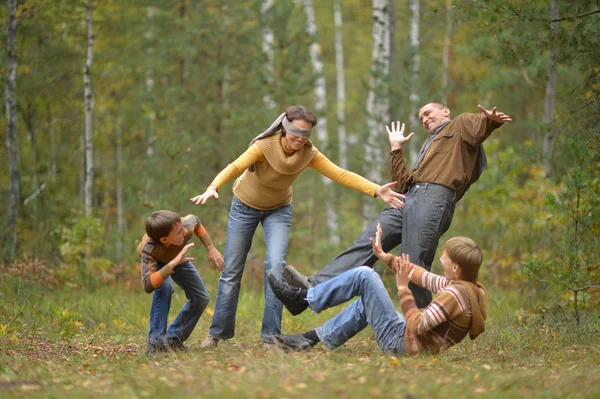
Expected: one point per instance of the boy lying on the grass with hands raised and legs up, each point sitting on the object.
(459, 306)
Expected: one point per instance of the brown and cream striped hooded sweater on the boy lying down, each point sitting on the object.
(448, 319)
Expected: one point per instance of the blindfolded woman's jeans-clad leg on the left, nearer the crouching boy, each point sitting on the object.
(243, 221)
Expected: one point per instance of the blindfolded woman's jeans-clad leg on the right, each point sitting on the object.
(277, 230)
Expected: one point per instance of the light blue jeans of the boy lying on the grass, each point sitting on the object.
(374, 308)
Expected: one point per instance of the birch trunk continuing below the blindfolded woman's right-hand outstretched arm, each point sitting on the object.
(321, 112)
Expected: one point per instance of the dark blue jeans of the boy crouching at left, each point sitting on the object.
(187, 278)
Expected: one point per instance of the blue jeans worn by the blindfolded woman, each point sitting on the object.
(243, 221)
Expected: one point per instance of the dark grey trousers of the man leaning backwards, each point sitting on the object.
(418, 226)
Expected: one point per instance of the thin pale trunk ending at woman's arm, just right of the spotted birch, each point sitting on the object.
(340, 86)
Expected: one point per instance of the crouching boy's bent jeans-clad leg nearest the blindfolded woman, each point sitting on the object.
(187, 277)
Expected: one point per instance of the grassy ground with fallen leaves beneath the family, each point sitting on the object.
(72, 343)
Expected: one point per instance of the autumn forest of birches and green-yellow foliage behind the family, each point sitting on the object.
(116, 109)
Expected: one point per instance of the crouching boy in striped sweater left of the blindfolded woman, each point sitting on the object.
(163, 255)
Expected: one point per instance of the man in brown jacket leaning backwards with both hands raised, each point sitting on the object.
(450, 160)
